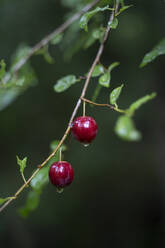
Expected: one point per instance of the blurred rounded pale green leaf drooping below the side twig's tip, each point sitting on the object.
(126, 130)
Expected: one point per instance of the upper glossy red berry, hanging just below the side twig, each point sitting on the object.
(84, 129)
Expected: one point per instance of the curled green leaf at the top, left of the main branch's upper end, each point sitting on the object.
(87, 16)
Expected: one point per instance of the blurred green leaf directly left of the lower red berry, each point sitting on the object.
(41, 179)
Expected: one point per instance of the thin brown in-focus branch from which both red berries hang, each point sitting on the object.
(96, 60)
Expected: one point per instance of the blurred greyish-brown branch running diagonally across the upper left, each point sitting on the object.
(47, 39)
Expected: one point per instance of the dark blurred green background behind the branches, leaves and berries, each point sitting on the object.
(118, 196)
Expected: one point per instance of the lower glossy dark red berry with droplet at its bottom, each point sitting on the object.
(61, 174)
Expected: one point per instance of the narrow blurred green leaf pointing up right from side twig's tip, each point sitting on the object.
(137, 104)
